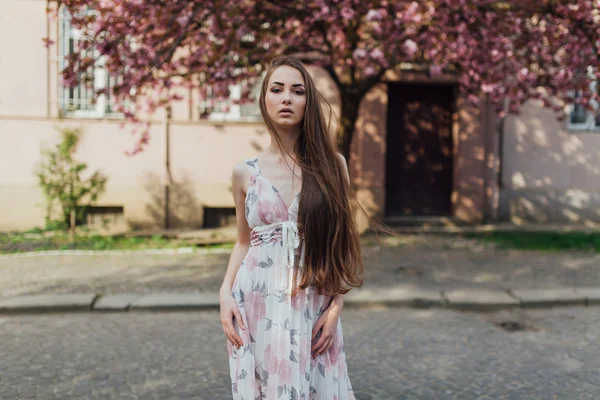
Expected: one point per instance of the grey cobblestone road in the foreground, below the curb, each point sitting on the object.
(392, 354)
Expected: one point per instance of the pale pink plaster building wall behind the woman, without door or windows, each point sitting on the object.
(541, 158)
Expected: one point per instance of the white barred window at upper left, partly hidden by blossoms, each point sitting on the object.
(81, 100)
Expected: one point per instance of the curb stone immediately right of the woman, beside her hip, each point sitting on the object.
(403, 295)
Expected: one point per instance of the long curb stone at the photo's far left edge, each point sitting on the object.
(48, 302)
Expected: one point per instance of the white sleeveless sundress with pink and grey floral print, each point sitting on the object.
(275, 360)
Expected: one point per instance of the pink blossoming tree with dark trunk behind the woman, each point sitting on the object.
(510, 50)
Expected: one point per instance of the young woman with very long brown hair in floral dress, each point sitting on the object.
(297, 252)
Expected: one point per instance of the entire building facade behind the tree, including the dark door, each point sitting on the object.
(419, 153)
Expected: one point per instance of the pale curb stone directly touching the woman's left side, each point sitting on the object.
(176, 301)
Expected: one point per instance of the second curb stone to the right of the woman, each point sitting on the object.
(479, 299)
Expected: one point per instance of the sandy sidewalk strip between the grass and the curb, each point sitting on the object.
(427, 261)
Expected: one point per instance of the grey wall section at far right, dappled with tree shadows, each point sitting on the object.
(549, 174)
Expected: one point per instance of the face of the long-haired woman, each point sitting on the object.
(285, 98)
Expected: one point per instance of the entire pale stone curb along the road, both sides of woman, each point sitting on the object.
(468, 299)
